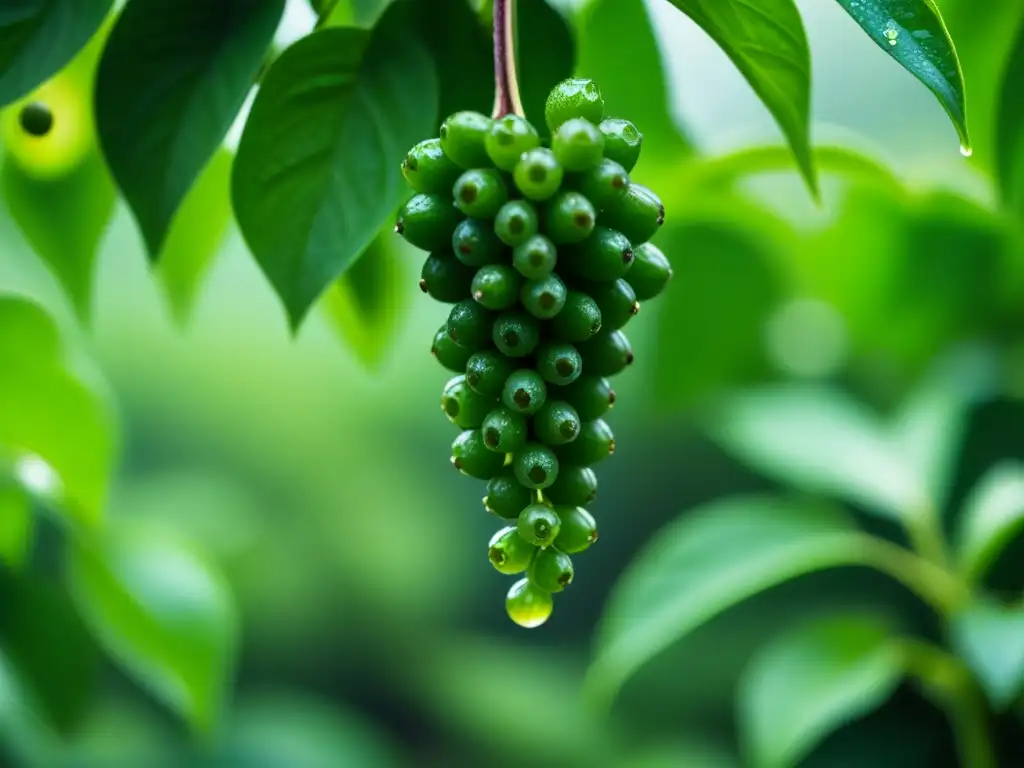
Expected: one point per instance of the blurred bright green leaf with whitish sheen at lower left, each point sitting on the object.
(162, 613)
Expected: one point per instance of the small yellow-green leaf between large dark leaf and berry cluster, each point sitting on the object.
(365, 306)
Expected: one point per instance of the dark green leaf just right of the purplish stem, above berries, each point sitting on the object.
(547, 56)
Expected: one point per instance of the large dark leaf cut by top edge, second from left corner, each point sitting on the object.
(174, 77)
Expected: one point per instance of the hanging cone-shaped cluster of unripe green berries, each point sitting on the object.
(542, 248)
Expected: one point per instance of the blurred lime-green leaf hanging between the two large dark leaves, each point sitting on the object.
(196, 236)
